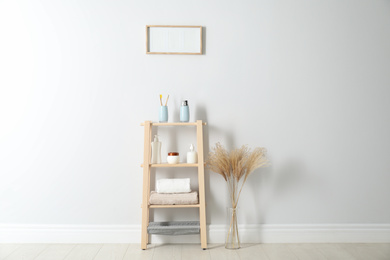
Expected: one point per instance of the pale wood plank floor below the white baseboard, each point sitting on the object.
(193, 251)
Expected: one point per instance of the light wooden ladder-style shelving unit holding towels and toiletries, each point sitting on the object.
(146, 179)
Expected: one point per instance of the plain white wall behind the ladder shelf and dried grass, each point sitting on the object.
(309, 80)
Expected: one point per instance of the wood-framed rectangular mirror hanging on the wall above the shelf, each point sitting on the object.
(174, 39)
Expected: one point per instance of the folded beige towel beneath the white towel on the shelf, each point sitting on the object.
(173, 198)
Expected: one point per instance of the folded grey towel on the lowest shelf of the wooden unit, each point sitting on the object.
(174, 228)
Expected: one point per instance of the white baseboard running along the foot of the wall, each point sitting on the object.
(320, 233)
